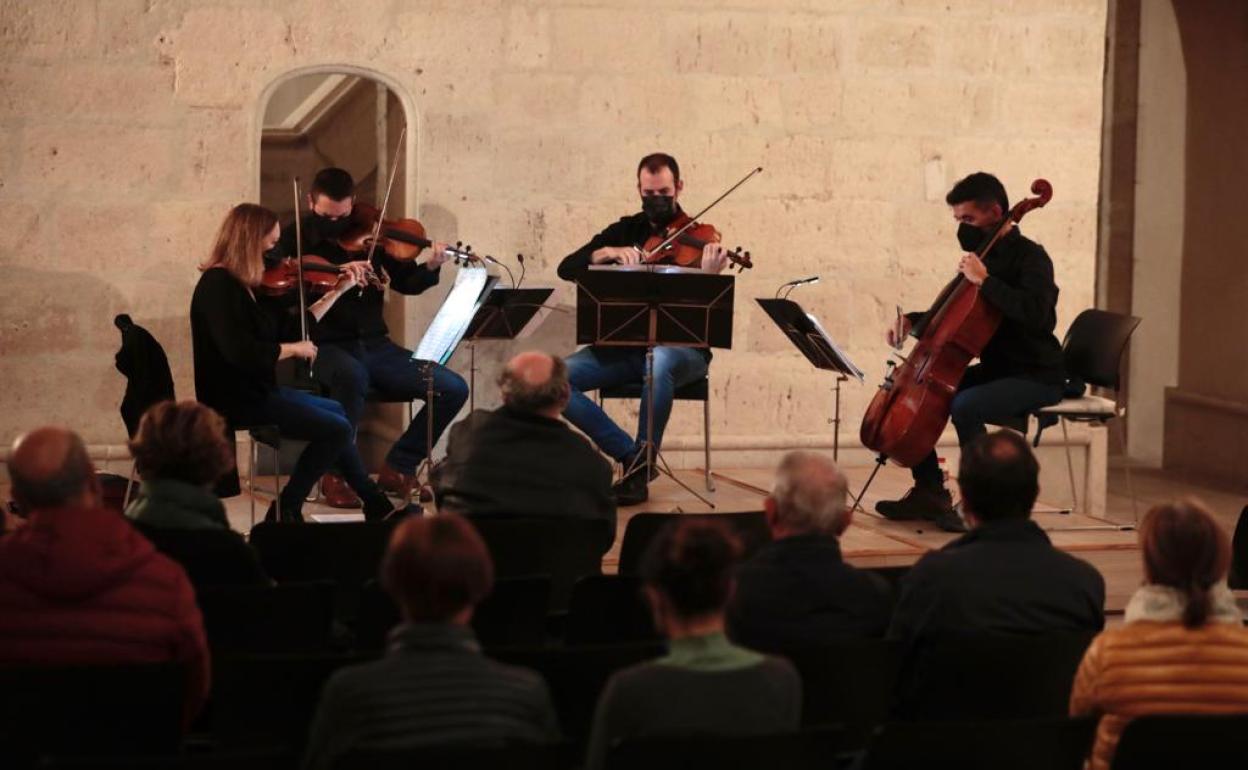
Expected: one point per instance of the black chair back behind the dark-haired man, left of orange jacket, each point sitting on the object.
(994, 677)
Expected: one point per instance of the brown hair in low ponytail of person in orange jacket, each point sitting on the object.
(1186, 548)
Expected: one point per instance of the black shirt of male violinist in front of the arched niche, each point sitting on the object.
(356, 315)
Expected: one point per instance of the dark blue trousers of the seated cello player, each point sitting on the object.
(983, 400)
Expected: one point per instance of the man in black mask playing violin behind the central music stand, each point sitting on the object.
(660, 184)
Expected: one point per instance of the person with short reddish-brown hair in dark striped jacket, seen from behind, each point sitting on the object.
(435, 687)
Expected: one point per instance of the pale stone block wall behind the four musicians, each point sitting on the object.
(128, 128)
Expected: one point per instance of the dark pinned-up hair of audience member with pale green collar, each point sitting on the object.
(692, 565)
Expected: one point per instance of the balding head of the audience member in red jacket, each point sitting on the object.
(51, 469)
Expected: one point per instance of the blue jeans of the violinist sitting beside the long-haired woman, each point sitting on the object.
(349, 370)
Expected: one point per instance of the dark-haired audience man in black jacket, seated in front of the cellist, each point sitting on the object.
(1002, 578)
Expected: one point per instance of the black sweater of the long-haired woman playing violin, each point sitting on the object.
(235, 345)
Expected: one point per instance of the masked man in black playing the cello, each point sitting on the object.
(1020, 369)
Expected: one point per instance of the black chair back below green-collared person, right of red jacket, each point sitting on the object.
(289, 618)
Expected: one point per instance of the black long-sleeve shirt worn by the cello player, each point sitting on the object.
(1021, 285)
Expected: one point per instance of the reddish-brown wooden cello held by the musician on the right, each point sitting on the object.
(910, 410)
